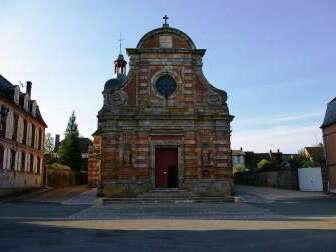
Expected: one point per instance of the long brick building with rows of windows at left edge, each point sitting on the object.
(21, 137)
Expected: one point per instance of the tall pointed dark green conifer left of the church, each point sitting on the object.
(70, 153)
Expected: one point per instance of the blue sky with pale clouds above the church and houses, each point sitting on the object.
(275, 59)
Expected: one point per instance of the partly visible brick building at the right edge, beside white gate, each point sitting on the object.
(329, 138)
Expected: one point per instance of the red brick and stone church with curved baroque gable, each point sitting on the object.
(162, 124)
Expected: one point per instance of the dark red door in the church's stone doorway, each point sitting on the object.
(165, 159)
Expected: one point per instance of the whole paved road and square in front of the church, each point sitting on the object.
(262, 223)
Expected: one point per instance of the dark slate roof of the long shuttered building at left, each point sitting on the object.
(7, 92)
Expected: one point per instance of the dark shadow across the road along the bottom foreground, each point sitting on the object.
(17, 236)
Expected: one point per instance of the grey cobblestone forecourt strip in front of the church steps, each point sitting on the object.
(178, 210)
